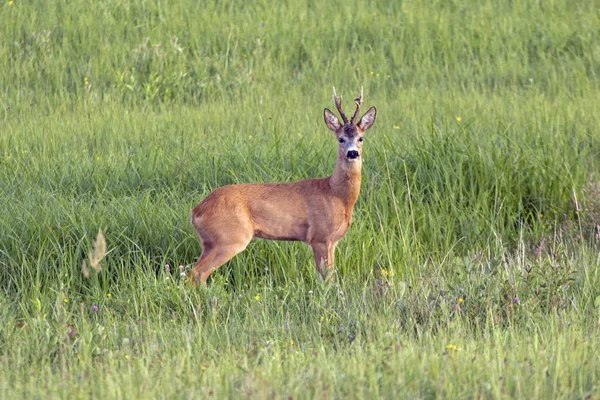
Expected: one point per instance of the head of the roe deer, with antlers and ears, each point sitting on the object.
(350, 133)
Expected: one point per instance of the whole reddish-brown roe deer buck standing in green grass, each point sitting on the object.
(317, 212)
